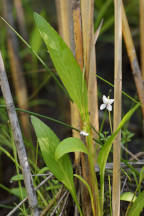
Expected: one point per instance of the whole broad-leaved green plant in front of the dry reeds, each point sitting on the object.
(55, 154)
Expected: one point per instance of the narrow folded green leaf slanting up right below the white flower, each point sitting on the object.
(104, 152)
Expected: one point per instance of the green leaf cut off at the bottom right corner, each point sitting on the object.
(137, 206)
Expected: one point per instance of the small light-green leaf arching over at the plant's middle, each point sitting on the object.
(68, 145)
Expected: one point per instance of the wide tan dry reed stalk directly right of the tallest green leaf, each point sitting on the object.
(87, 13)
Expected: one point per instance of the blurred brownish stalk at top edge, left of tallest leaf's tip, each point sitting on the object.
(21, 18)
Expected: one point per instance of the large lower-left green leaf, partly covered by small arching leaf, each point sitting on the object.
(48, 141)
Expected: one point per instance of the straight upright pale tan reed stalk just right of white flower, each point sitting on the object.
(117, 107)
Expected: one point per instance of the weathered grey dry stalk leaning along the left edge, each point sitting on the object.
(18, 140)
